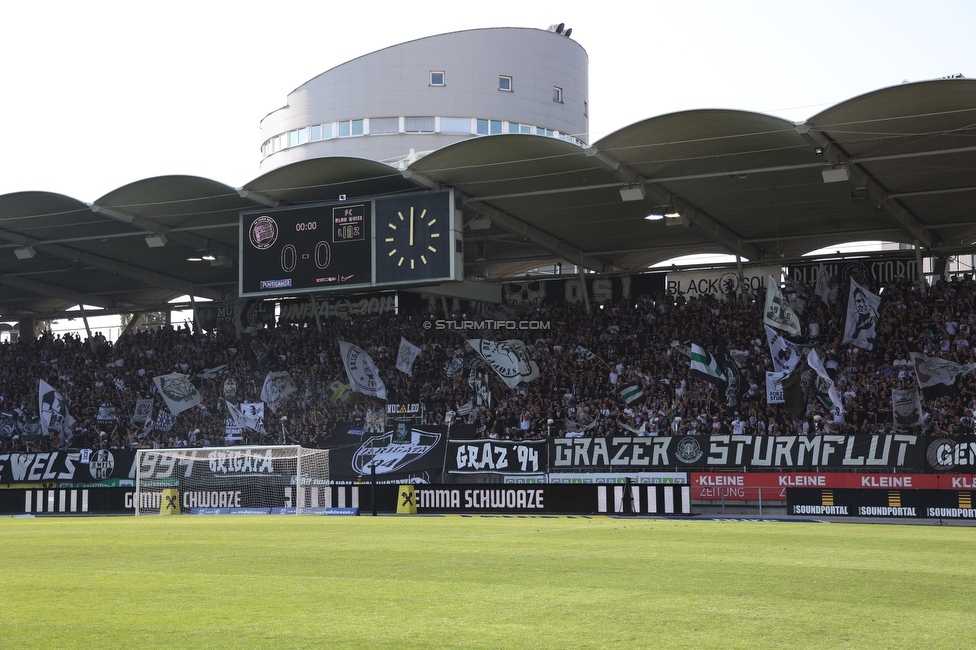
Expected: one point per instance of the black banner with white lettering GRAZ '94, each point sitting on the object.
(496, 456)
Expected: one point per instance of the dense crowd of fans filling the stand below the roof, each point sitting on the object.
(585, 358)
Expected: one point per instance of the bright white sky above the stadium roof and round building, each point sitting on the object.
(98, 94)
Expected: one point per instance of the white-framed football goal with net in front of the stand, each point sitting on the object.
(231, 480)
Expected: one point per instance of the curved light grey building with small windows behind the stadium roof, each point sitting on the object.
(398, 103)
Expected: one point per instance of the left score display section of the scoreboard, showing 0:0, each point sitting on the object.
(310, 248)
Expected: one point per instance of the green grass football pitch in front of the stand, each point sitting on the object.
(482, 582)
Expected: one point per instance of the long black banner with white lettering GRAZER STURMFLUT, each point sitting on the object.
(804, 453)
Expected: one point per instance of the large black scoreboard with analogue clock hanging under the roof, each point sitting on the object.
(387, 241)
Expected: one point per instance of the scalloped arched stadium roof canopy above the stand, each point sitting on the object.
(897, 164)
